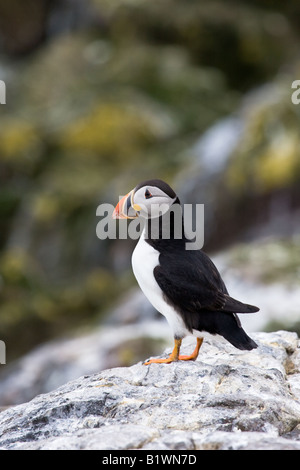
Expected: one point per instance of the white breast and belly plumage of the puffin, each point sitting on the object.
(144, 259)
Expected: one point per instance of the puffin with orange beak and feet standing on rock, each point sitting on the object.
(182, 284)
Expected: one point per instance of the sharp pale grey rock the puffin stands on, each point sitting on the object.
(227, 399)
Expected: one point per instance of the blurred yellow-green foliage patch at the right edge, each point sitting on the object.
(268, 155)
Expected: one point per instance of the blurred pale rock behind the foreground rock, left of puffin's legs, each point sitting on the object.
(54, 363)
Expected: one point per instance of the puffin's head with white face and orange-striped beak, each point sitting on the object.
(148, 200)
